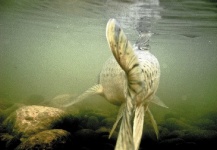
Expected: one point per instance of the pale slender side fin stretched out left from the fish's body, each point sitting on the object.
(96, 89)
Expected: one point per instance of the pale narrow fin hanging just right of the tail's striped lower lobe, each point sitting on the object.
(138, 125)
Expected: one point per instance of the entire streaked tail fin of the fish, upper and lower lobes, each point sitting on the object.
(127, 59)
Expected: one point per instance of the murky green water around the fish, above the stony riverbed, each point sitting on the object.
(56, 47)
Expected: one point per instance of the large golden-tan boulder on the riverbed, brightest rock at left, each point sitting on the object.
(29, 120)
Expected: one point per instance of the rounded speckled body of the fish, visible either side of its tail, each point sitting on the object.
(114, 79)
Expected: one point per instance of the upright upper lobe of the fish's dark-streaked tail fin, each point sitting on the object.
(125, 56)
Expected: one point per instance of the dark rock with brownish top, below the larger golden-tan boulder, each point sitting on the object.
(54, 139)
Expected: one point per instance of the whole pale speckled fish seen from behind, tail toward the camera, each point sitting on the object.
(129, 79)
